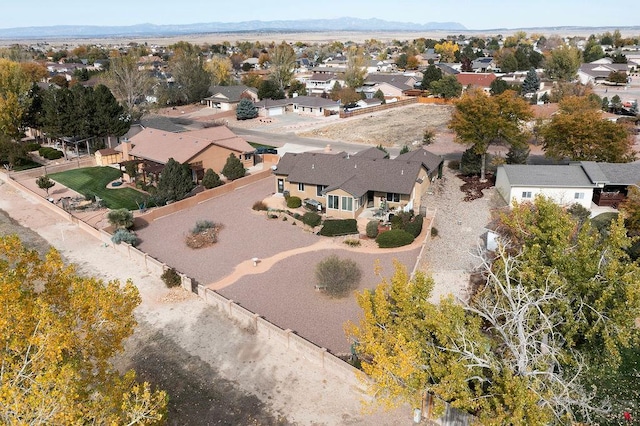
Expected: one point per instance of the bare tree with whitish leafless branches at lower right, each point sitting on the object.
(527, 341)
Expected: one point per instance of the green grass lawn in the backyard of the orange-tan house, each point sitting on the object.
(94, 180)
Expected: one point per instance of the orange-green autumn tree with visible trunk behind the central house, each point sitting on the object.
(480, 120)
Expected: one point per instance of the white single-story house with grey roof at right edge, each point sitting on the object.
(585, 182)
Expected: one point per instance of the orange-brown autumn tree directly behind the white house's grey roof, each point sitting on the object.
(580, 133)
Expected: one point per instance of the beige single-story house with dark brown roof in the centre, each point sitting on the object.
(345, 184)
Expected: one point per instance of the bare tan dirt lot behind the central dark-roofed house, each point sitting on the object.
(396, 126)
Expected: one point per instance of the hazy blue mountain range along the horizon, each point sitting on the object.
(303, 25)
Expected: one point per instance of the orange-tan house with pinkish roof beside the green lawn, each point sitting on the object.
(202, 149)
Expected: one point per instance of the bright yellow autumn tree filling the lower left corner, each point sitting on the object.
(60, 331)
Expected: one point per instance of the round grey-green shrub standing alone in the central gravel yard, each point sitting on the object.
(337, 276)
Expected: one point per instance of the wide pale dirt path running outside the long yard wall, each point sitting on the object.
(214, 372)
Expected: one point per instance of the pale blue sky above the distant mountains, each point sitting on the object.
(473, 14)
